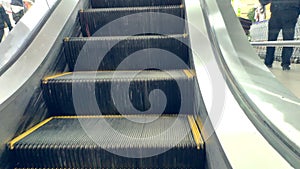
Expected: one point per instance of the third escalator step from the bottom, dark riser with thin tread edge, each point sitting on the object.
(134, 52)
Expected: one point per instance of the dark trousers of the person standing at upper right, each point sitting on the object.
(284, 20)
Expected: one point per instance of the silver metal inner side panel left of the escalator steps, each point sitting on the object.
(20, 80)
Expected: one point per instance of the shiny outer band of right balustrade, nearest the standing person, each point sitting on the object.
(272, 108)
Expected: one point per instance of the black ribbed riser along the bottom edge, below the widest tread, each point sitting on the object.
(60, 157)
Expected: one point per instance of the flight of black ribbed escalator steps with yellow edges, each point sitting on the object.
(106, 111)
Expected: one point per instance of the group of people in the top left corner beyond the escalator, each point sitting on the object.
(17, 8)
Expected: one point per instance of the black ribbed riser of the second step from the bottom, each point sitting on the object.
(59, 96)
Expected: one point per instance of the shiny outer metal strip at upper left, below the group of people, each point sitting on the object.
(23, 33)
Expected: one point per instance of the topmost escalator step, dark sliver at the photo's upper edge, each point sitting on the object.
(132, 3)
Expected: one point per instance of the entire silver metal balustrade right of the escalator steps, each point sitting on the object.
(256, 119)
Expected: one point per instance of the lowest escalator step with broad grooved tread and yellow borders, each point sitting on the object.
(111, 142)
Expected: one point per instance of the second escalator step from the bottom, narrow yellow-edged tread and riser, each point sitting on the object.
(121, 92)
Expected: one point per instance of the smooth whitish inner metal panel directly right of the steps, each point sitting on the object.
(231, 139)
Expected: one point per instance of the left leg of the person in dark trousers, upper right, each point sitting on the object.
(273, 31)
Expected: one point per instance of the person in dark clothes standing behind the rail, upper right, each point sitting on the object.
(284, 16)
